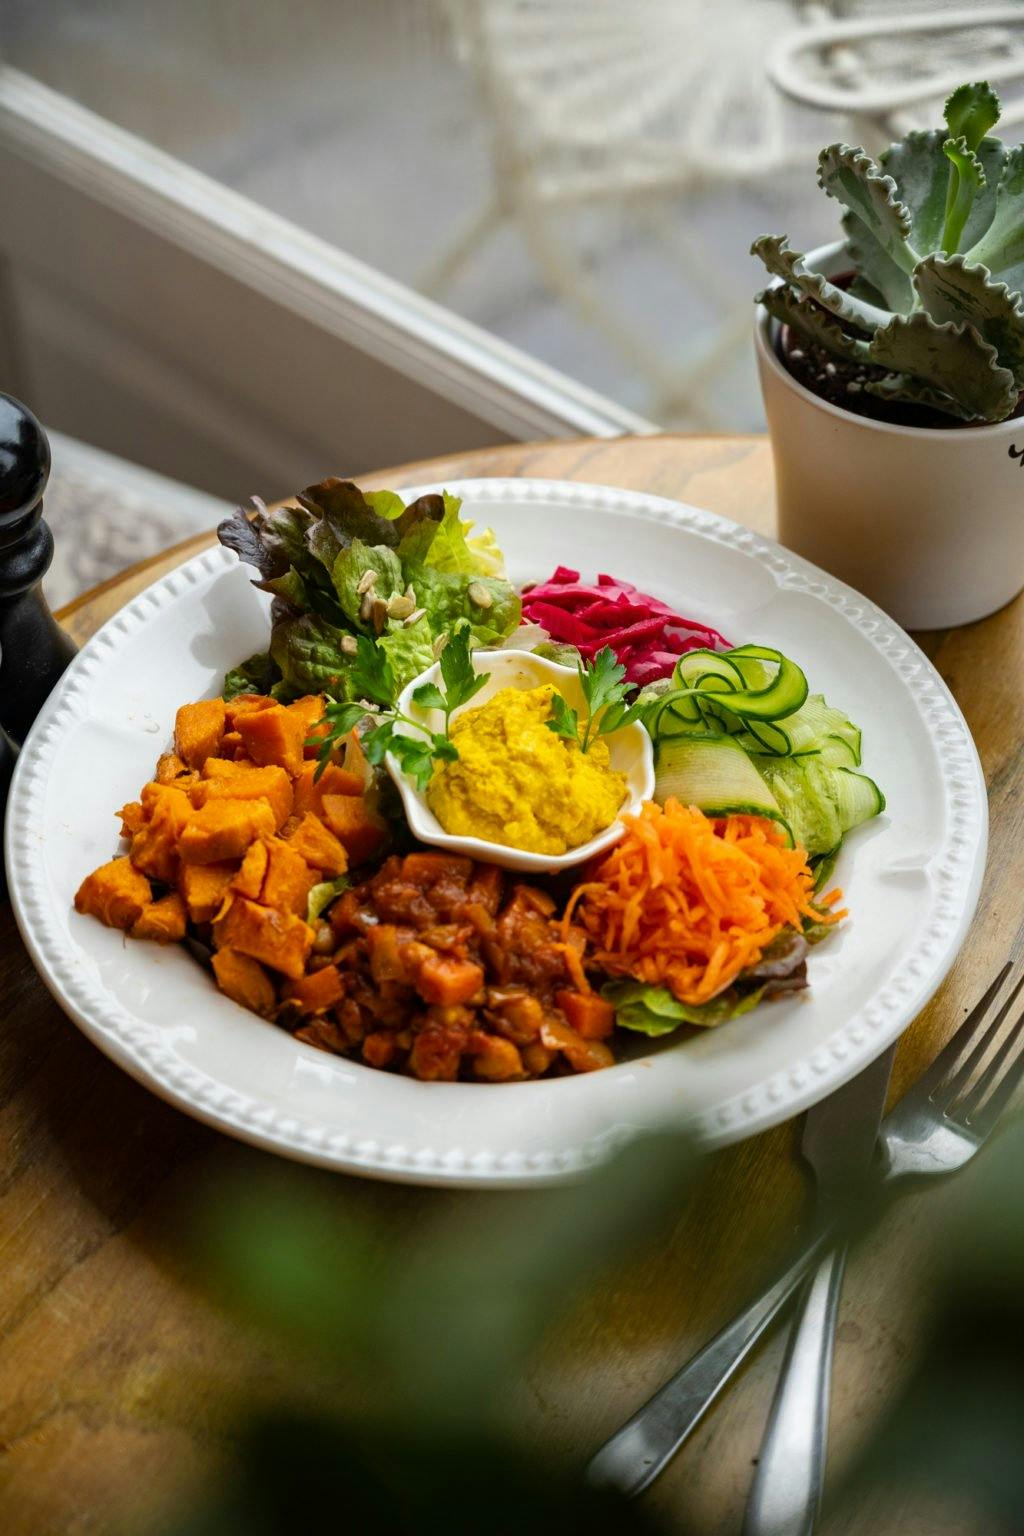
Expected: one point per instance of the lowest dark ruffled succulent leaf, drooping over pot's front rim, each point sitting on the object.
(953, 359)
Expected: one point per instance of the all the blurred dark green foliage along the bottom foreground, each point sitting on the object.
(412, 1357)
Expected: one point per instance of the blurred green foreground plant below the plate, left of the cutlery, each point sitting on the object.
(417, 1354)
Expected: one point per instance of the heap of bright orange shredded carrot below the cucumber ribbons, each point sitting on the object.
(689, 902)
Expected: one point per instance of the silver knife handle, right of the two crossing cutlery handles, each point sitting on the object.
(787, 1489)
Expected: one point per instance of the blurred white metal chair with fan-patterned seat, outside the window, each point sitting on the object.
(595, 104)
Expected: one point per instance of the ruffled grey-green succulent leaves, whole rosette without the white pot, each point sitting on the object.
(936, 237)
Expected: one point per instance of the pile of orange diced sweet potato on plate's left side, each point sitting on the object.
(231, 836)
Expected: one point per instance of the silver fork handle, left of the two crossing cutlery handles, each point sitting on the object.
(641, 1451)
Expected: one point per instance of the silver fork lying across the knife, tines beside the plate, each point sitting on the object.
(934, 1130)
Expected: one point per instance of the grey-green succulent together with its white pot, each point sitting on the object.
(893, 369)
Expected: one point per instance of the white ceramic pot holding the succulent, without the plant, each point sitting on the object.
(927, 521)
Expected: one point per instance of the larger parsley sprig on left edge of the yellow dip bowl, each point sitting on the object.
(374, 678)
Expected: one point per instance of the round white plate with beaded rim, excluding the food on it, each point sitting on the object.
(911, 878)
